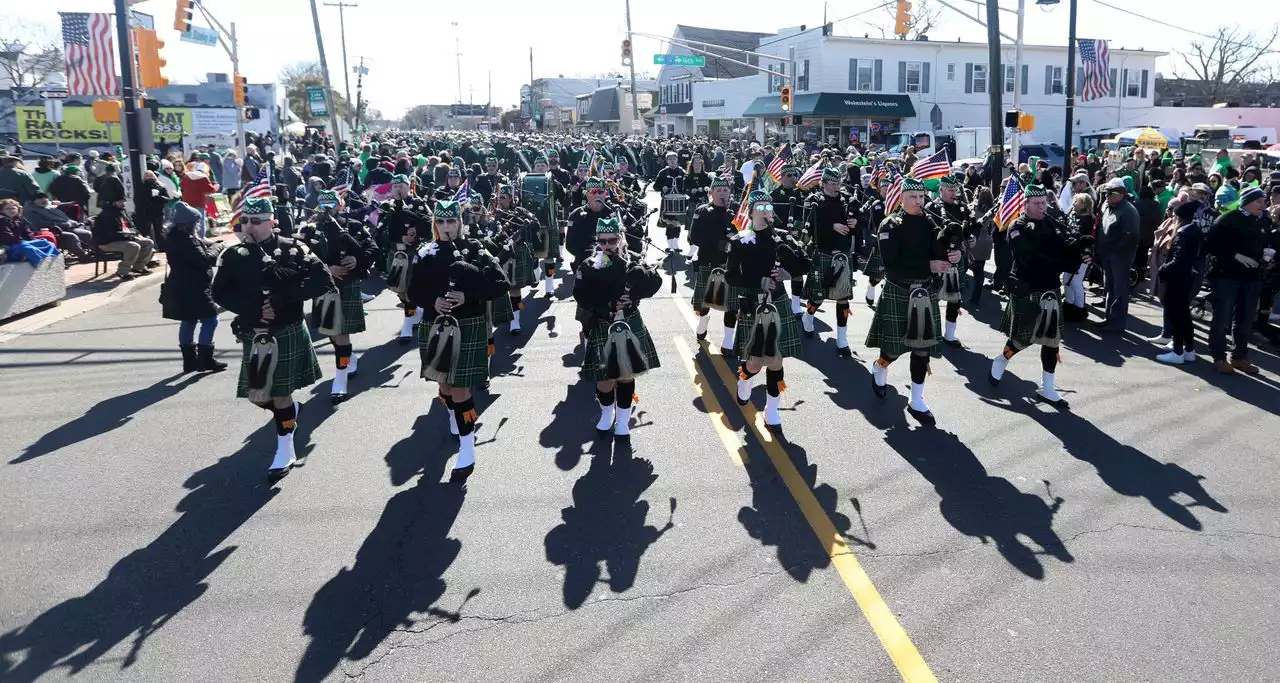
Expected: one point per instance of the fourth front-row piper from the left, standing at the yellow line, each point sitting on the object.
(760, 260)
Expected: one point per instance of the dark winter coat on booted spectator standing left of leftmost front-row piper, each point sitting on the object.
(186, 292)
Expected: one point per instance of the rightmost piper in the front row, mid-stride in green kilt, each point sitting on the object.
(1034, 315)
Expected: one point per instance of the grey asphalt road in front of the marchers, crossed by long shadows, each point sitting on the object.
(1131, 539)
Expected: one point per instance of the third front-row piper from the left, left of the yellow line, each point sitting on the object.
(609, 287)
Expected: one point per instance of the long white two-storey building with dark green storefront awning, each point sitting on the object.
(867, 90)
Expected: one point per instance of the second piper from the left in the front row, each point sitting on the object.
(456, 278)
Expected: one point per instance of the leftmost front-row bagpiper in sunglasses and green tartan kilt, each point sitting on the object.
(264, 281)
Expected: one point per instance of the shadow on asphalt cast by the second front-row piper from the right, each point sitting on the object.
(980, 505)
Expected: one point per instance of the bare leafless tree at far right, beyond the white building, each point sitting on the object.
(1233, 58)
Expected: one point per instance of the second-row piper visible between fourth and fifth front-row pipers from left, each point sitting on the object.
(830, 219)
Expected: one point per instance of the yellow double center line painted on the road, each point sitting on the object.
(883, 620)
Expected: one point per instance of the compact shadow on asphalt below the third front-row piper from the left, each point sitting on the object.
(605, 529)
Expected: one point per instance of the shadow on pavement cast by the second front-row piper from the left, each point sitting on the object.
(399, 575)
